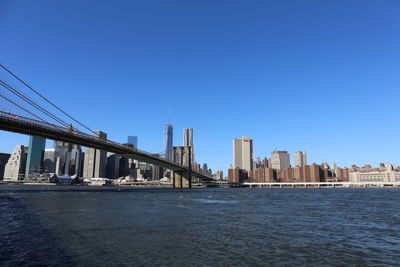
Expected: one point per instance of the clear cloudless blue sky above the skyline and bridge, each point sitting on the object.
(320, 76)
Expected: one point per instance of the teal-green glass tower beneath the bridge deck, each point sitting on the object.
(35, 155)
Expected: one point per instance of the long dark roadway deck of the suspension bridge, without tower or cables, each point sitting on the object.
(18, 124)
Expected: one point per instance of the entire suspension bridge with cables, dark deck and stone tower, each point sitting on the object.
(23, 114)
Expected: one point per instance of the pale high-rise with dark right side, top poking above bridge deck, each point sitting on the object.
(95, 163)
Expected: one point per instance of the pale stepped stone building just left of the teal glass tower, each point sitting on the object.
(16, 165)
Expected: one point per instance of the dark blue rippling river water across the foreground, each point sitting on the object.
(70, 226)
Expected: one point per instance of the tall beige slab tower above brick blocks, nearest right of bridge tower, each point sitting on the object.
(243, 153)
